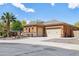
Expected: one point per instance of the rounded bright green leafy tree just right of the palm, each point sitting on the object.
(16, 26)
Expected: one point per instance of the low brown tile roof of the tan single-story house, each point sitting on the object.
(52, 22)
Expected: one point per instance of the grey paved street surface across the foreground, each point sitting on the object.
(18, 49)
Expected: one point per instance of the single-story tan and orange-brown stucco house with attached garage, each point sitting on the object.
(49, 29)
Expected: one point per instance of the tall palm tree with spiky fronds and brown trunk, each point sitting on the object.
(7, 17)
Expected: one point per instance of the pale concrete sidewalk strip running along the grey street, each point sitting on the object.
(40, 42)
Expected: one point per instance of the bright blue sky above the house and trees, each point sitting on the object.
(43, 11)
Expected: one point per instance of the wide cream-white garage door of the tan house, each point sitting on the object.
(55, 33)
